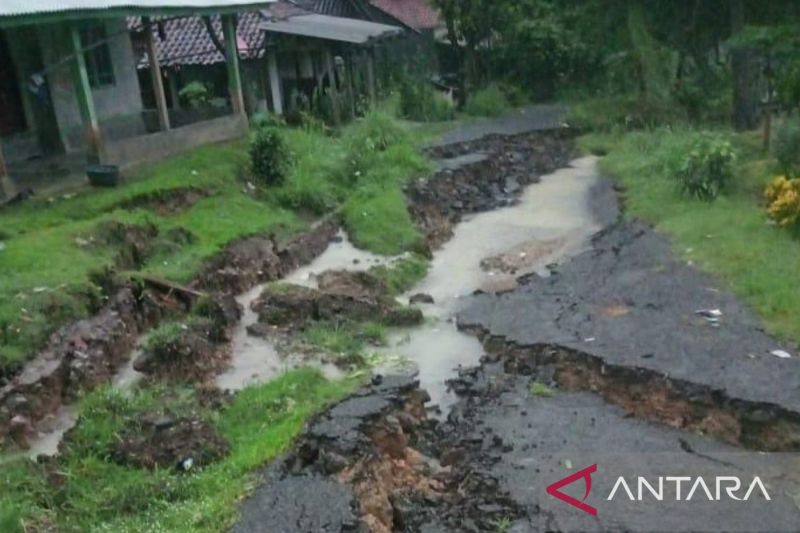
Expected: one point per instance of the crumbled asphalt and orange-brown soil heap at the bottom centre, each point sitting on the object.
(384, 452)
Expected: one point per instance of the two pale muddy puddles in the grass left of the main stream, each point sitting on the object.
(255, 359)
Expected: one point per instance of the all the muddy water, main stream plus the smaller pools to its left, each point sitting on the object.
(488, 251)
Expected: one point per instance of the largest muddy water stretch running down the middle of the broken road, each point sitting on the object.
(551, 222)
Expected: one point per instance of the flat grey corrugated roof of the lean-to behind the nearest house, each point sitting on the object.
(331, 28)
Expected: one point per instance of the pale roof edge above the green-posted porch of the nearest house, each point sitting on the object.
(20, 8)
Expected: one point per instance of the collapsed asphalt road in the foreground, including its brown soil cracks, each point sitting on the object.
(605, 362)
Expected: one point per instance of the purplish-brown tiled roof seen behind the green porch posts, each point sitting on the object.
(185, 40)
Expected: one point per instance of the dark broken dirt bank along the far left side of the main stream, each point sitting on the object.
(482, 175)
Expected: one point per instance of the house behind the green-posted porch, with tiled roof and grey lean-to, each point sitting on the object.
(290, 57)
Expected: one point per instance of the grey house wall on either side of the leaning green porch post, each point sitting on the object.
(118, 106)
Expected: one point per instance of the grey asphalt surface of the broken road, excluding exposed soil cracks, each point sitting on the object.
(627, 301)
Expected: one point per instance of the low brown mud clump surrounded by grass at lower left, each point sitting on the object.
(162, 441)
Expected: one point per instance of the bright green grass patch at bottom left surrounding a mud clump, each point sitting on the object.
(87, 492)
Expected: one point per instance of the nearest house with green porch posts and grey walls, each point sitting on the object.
(70, 93)
